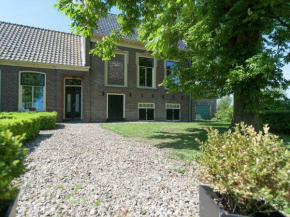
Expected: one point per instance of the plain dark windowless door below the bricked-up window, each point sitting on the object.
(115, 107)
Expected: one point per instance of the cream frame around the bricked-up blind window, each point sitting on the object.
(126, 61)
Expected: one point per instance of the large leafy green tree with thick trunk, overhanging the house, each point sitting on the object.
(235, 46)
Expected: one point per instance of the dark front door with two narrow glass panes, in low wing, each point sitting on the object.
(72, 103)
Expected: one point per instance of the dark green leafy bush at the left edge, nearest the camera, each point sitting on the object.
(12, 165)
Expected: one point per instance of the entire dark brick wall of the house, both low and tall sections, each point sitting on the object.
(95, 92)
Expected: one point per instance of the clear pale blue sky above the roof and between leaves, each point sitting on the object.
(41, 13)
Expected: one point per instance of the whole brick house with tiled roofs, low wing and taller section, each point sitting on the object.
(53, 71)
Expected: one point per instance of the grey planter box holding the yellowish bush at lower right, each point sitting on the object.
(208, 207)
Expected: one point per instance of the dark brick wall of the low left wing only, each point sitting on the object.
(54, 88)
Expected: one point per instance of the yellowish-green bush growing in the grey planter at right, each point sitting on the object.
(251, 170)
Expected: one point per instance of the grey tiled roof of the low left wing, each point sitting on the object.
(30, 44)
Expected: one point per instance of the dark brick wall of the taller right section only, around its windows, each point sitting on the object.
(133, 95)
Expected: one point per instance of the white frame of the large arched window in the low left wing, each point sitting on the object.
(20, 90)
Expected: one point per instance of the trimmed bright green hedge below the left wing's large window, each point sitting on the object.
(27, 122)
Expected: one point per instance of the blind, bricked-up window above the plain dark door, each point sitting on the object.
(116, 70)
